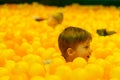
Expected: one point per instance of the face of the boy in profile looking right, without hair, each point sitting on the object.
(82, 50)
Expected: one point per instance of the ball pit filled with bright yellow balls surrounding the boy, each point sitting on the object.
(29, 49)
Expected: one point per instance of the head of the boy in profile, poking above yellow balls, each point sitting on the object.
(74, 42)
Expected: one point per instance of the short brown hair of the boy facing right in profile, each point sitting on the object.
(70, 37)
